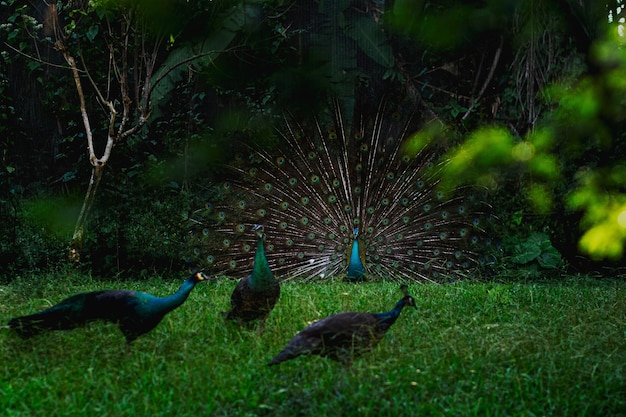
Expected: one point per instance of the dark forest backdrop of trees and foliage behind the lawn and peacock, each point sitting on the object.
(533, 89)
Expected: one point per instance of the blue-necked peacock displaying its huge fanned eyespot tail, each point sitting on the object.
(335, 199)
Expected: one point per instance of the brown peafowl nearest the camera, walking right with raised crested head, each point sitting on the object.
(345, 335)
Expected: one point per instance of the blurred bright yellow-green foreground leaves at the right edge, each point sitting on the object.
(569, 162)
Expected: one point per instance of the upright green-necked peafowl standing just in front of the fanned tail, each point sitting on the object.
(254, 297)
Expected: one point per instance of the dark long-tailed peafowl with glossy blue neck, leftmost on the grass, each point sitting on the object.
(136, 313)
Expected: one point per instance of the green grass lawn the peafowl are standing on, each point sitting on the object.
(470, 349)
